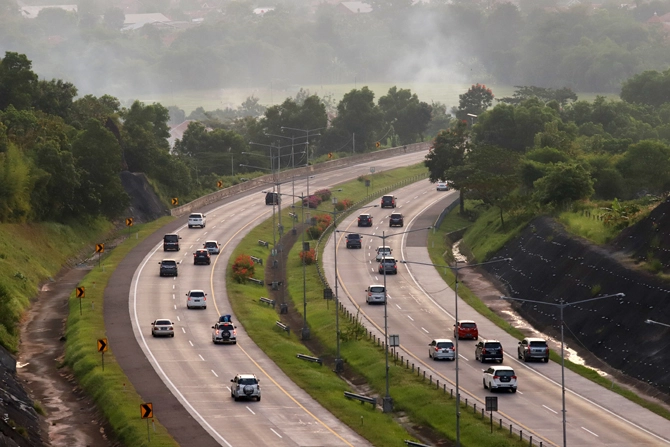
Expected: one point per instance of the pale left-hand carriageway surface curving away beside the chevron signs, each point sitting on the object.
(198, 372)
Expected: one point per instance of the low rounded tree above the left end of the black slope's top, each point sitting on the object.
(563, 183)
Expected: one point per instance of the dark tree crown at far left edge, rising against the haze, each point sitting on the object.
(17, 81)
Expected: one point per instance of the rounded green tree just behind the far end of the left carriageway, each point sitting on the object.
(408, 115)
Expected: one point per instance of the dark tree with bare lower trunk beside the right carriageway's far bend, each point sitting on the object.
(446, 155)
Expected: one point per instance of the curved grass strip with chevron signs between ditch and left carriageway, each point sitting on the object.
(110, 389)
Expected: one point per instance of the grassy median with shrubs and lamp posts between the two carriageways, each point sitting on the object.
(412, 395)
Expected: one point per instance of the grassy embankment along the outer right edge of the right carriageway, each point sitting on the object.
(485, 236)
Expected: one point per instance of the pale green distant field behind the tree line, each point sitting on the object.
(189, 100)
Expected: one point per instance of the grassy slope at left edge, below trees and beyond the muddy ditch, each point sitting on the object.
(30, 254)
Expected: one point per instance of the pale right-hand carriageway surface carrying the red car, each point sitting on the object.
(420, 309)
